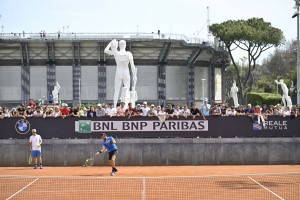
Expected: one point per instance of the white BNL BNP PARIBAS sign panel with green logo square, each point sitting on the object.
(88, 126)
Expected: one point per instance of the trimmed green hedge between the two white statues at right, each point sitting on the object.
(263, 98)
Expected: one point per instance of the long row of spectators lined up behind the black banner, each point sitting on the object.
(261, 113)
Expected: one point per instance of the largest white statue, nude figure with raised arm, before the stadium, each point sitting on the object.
(123, 58)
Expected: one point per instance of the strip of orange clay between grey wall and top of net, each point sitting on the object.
(150, 171)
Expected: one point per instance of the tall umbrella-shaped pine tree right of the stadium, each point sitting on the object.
(253, 36)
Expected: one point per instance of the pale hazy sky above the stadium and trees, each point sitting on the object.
(188, 17)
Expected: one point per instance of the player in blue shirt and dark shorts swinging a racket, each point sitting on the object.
(109, 143)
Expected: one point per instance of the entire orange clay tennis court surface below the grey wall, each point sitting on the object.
(155, 182)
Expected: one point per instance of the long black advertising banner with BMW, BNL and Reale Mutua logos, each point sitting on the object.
(150, 127)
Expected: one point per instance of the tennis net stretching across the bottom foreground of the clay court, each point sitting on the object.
(261, 186)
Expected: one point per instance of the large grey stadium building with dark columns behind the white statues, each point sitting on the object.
(171, 68)
